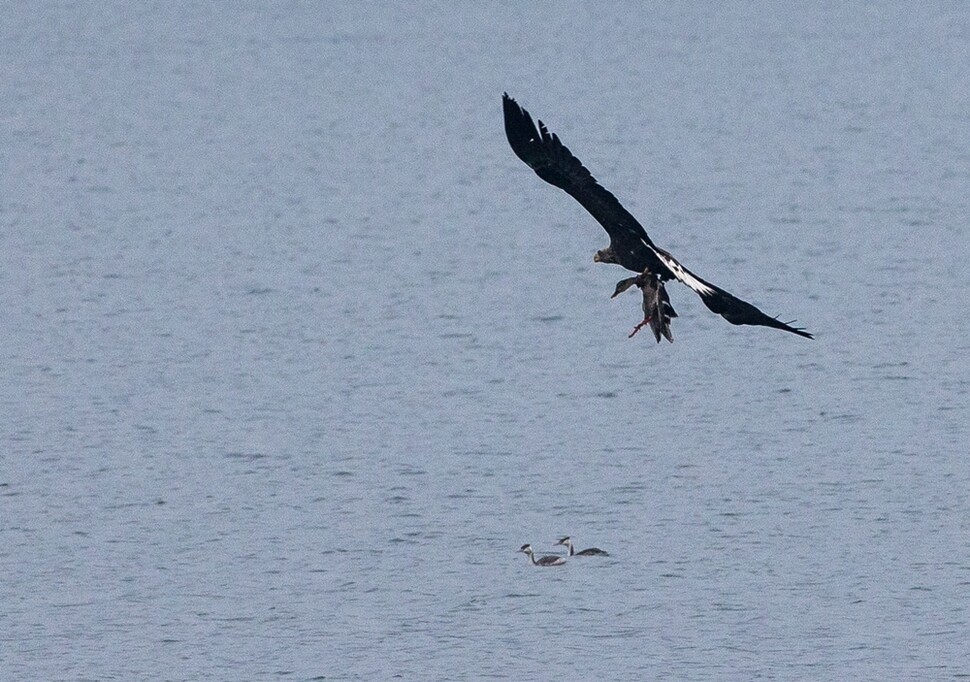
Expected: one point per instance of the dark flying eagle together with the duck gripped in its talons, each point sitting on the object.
(630, 246)
